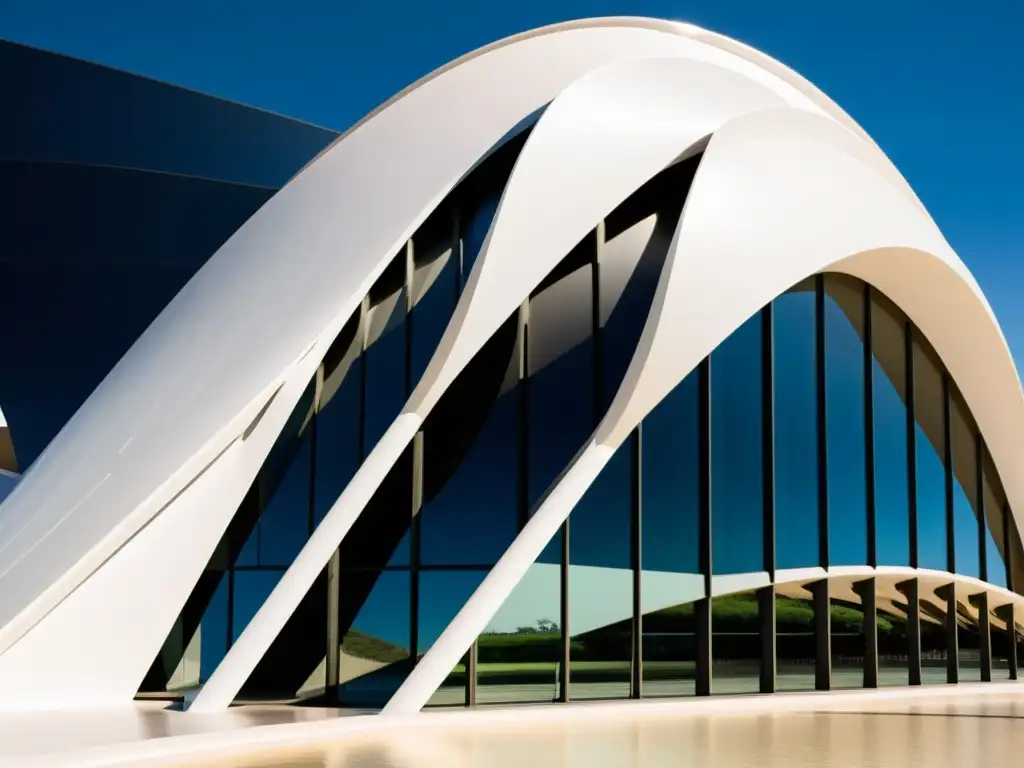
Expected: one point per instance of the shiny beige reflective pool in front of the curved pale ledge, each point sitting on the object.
(960, 731)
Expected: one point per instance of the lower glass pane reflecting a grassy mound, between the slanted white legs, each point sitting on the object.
(374, 617)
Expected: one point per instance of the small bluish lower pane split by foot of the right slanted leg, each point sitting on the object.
(443, 594)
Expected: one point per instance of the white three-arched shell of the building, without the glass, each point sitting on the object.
(119, 505)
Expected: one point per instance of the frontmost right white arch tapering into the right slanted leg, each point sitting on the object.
(812, 198)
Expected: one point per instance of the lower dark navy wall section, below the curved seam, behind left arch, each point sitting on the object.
(96, 254)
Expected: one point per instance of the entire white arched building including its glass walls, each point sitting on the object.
(610, 361)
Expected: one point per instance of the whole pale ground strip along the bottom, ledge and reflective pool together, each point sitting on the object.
(601, 734)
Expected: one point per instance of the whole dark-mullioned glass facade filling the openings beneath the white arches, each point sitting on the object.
(824, 434)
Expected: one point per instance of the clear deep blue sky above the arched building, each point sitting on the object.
(938, 83)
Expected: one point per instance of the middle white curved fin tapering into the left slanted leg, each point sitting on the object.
(599, 142)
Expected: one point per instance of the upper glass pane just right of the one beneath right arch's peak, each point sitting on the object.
(889, 395)
